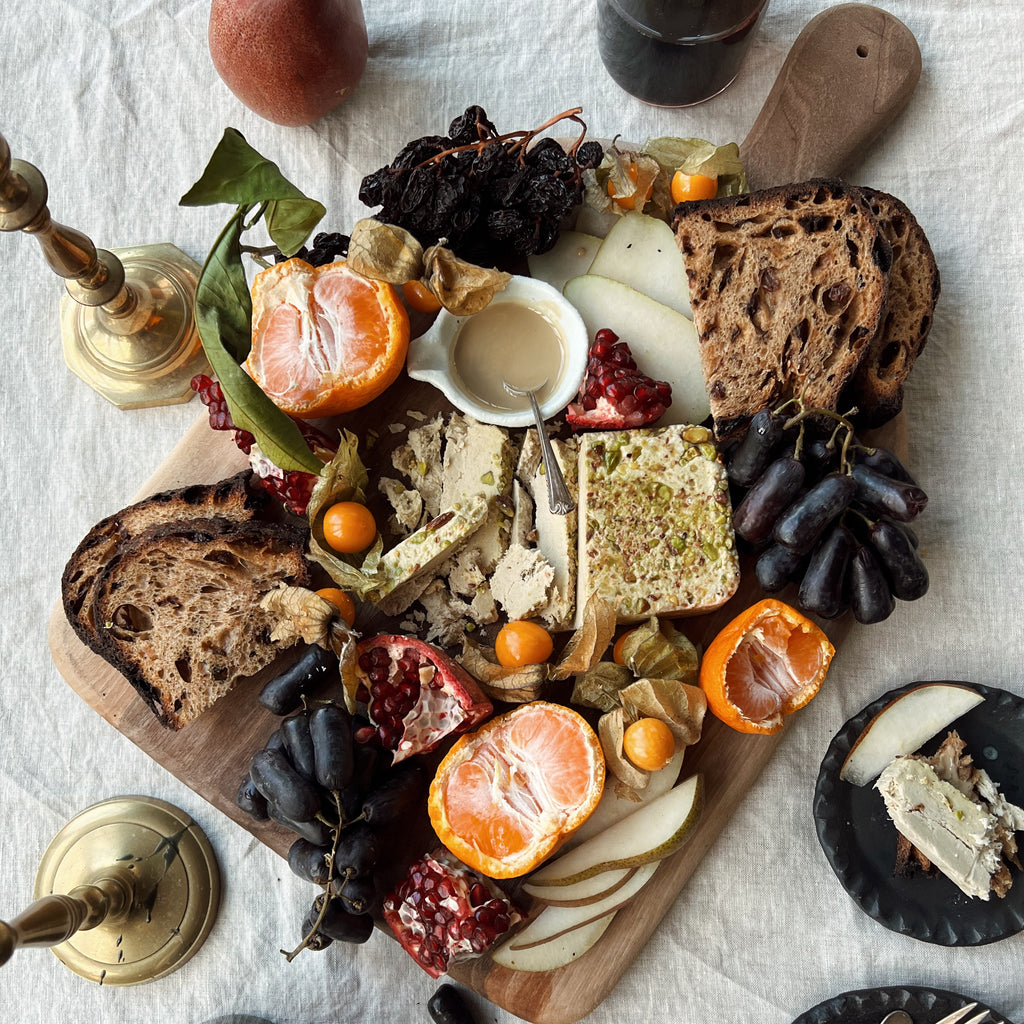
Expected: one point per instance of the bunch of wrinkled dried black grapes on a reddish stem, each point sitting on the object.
(488, 195)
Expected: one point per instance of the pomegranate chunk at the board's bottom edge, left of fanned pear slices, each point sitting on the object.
(443, 912)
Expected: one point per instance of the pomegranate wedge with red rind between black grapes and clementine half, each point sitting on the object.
(416, 696)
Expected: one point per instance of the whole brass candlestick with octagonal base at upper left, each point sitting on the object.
(127, 321)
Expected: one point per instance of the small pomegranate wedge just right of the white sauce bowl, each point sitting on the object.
(615, 395)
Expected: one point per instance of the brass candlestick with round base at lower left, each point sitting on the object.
(126, 893)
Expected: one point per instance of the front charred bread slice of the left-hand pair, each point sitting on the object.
(178, 610)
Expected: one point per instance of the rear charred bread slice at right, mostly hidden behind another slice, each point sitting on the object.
(877, 388)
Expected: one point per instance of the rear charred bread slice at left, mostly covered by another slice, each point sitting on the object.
(231, 499)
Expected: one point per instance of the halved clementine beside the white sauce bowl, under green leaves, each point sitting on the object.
(326, 340)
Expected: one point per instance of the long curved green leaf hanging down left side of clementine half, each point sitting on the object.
(224, 317)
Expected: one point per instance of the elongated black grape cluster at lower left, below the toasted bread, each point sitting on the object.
(334, 793)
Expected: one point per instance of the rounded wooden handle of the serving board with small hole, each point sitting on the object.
(849, 73)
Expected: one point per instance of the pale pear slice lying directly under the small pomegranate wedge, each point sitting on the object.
(664, 343)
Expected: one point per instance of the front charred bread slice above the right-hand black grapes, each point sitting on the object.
(788, 287)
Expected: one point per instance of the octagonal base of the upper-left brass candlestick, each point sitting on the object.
(142, 350)
